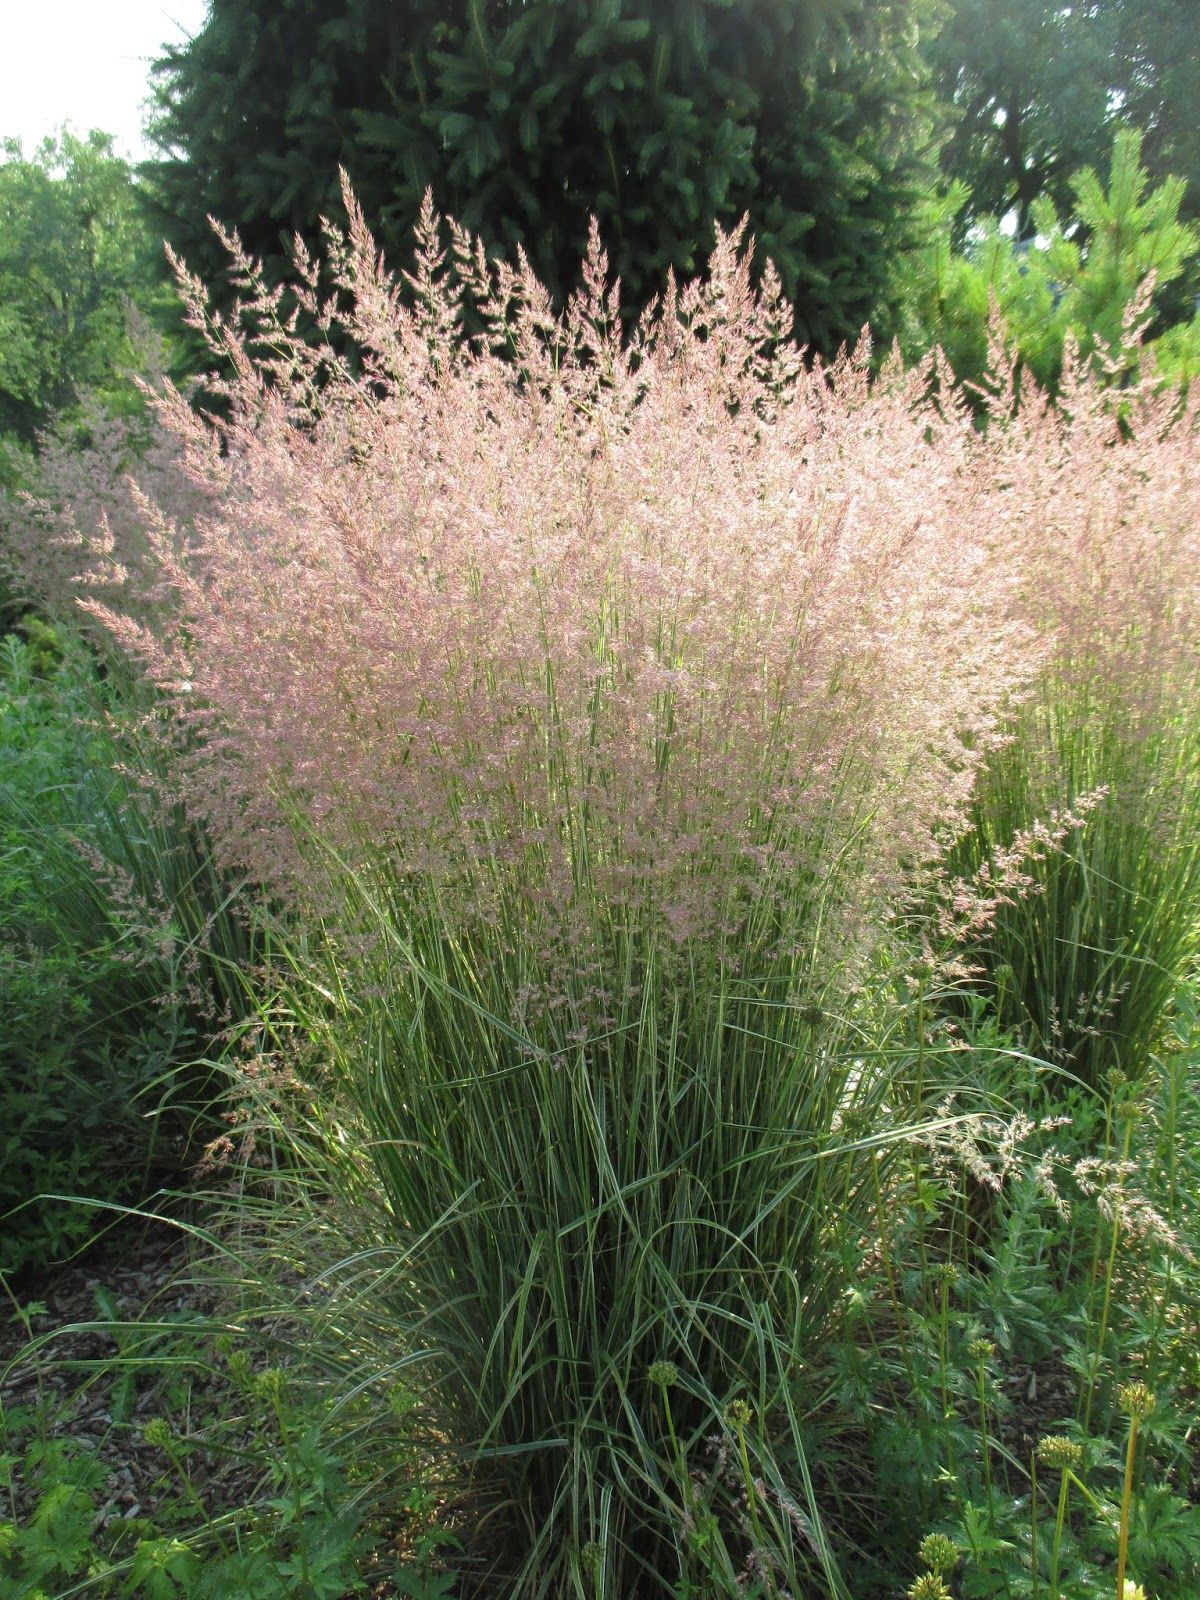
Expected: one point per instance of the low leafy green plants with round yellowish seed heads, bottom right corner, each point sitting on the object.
(1031, 1399)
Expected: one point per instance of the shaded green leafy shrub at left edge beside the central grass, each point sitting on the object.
(119, 951)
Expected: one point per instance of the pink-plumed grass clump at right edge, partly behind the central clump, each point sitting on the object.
(1102, 494)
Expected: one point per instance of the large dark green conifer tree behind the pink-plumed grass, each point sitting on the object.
(662, 118)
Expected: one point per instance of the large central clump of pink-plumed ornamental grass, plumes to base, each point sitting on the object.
(599, 698)
